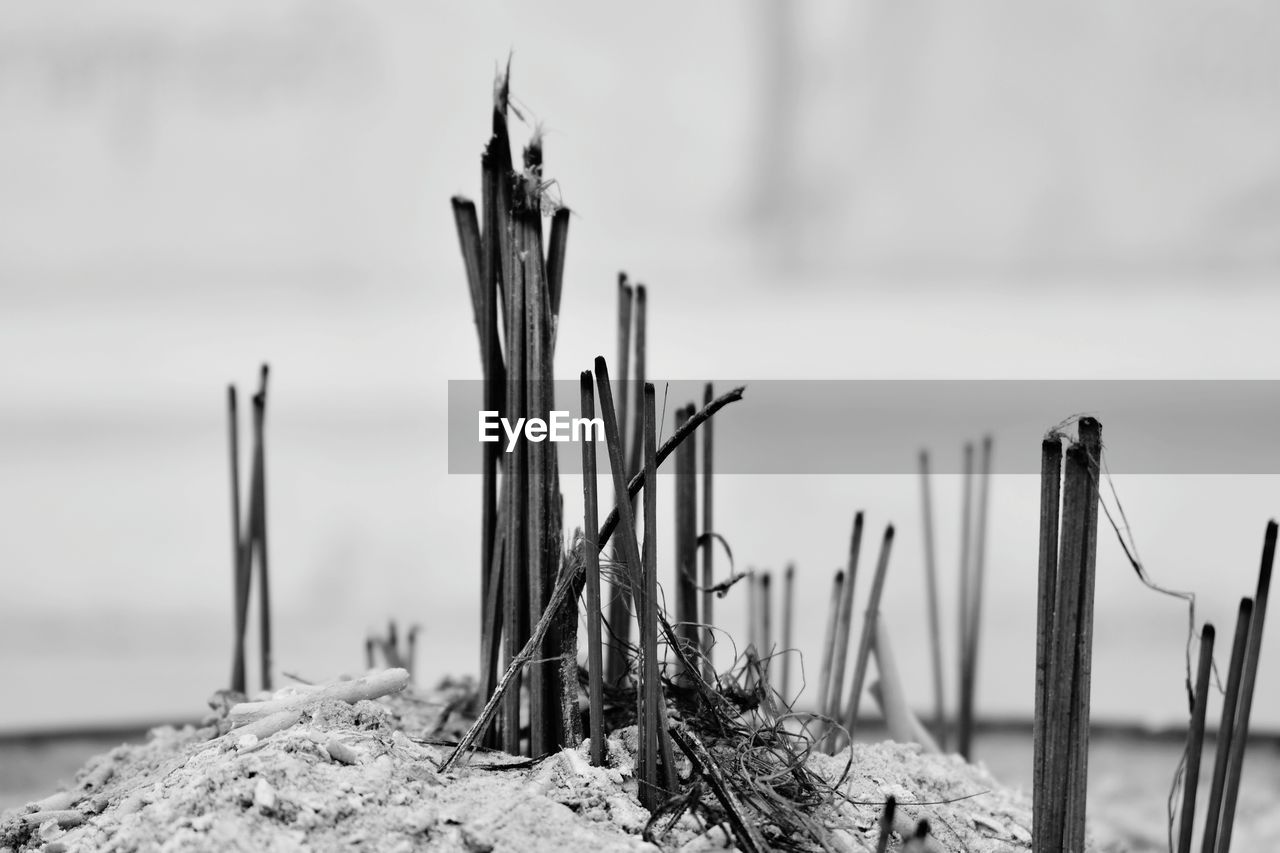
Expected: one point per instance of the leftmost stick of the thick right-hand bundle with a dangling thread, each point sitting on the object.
(1052, 480)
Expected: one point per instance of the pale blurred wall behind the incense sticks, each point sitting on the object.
(817, 191)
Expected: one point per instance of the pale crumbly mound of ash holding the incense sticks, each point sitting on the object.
(365, 777)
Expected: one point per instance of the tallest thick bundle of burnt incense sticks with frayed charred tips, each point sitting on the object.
(520, 549)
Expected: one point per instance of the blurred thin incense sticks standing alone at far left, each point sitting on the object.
(249, 539)
